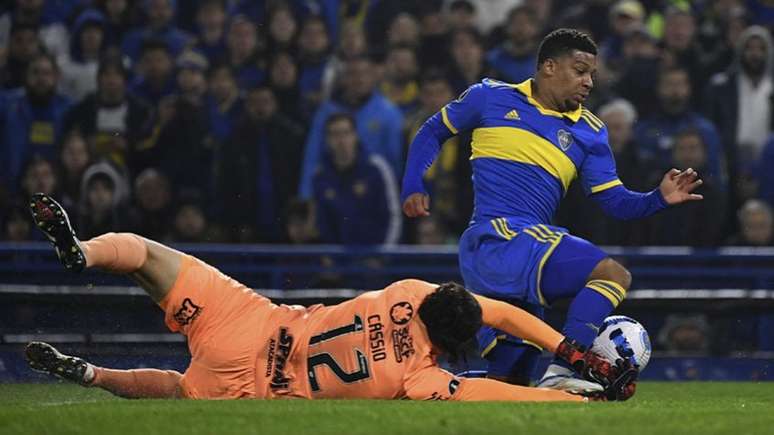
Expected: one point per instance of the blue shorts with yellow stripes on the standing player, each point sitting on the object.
(529, 266)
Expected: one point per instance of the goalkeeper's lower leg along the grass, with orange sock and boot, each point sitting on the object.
(131, 384)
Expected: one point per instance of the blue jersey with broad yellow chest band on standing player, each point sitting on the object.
(525, 156)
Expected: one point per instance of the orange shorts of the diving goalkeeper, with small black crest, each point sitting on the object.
(226, 324)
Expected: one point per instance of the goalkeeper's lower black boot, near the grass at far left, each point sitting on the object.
(44, 358)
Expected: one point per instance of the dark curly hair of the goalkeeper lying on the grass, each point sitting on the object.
(452, 317)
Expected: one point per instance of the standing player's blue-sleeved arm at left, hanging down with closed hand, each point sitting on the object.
(461, 114)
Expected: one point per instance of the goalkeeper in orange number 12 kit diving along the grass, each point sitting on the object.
(380, 345)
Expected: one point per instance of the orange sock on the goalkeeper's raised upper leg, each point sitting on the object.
(116, 252)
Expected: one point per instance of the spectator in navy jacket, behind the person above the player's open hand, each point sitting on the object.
(656, 133)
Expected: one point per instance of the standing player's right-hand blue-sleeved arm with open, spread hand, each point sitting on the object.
(600, 181)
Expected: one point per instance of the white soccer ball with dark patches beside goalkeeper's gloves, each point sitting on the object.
(623, 337)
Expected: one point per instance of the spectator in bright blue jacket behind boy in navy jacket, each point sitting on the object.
(378, 121)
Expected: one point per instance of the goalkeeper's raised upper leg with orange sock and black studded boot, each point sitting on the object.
(152, 265)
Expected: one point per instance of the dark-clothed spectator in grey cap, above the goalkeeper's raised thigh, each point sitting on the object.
(187, 131)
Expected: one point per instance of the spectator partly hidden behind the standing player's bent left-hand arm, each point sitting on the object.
(449, 178)
